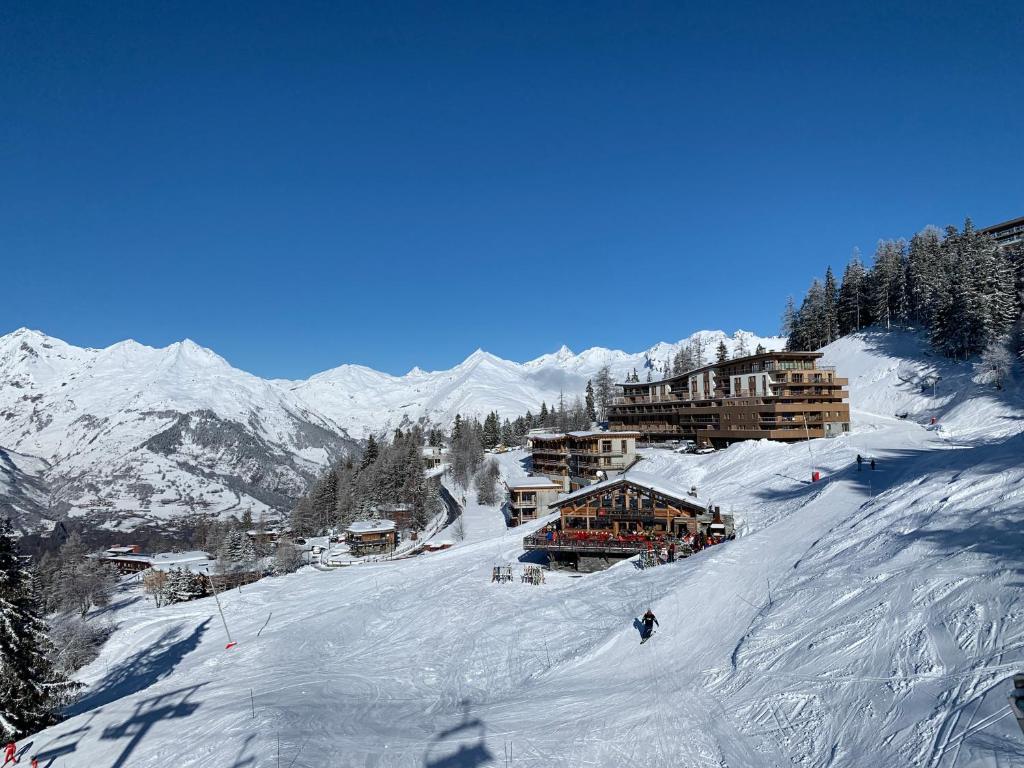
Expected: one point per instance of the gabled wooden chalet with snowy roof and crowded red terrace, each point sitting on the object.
(625, 517)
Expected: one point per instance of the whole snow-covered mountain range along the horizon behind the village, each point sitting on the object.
(131, 435)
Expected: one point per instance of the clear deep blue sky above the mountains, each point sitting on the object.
(304, 185)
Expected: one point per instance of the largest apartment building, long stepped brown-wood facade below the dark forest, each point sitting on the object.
(775, 396)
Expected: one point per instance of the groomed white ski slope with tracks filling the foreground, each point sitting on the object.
(870, 620)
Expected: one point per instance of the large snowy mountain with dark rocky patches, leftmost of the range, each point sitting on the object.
(131, 436)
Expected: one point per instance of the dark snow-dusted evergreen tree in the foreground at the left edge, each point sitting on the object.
(32, 691)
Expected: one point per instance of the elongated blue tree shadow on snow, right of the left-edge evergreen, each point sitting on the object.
(141, 670)
